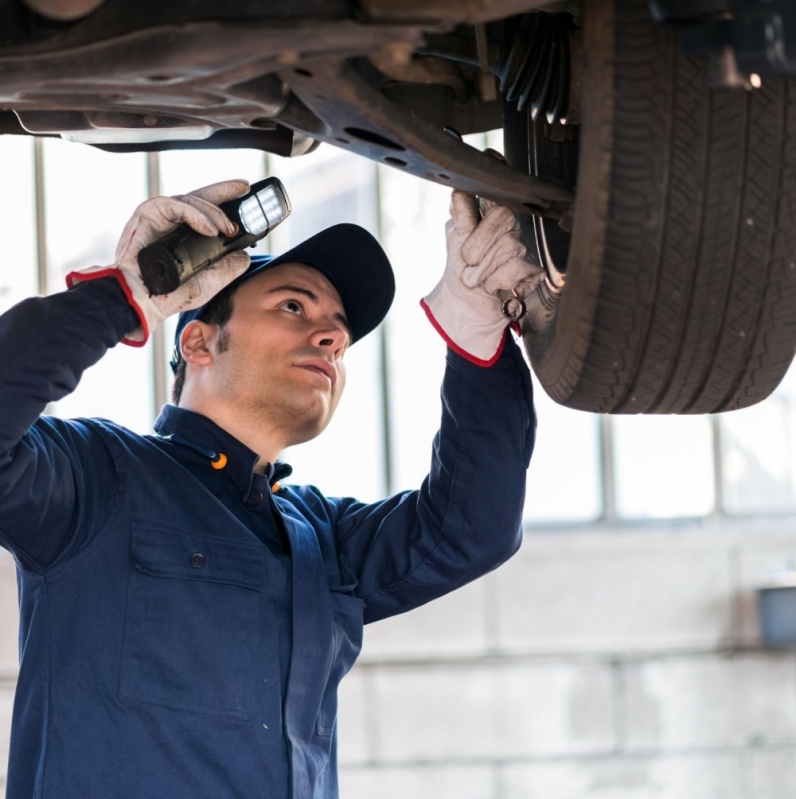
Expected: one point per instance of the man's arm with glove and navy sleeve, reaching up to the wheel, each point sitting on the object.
(466, 518)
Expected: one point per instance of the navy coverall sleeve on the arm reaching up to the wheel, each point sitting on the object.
(466, 519)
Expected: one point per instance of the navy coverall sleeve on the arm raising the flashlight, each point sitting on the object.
(56, 477)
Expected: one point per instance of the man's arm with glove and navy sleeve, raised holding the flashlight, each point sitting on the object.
(56, 477)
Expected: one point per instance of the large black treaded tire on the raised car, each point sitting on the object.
(680, 292)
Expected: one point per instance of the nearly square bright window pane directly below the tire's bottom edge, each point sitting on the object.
(664, 466)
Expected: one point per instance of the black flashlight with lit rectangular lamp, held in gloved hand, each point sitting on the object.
(178, 256)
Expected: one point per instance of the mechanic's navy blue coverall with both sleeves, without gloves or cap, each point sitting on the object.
(184, 629)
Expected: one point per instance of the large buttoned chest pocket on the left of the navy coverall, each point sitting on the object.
(192, 613)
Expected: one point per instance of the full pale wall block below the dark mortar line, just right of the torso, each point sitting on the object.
(492, 711)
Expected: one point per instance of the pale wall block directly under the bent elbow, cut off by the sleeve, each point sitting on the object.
(452, 626)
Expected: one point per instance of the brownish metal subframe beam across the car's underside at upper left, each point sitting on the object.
(202, 71)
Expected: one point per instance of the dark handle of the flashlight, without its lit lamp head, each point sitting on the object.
(179, 255)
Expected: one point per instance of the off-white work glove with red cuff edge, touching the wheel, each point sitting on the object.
(487, 263)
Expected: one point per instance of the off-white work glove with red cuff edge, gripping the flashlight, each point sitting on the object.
(152, 220)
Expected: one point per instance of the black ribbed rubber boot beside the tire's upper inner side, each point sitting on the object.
(535, 65)
